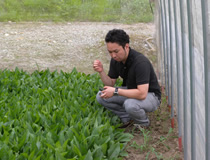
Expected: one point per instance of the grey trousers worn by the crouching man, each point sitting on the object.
(128, 108)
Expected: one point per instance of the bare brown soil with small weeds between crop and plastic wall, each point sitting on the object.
(159, 140)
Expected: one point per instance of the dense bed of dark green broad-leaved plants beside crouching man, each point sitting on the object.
(54, 115)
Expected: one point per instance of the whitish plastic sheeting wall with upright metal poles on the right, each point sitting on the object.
(183, 32)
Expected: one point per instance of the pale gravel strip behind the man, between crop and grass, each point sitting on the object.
(61, 46)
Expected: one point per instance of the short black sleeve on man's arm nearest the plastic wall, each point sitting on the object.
(142, 71)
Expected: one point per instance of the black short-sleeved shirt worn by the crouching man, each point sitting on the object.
(136, 71)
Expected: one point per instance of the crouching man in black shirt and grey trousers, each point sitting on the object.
(140, 91)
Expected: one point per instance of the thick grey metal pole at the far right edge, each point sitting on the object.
(206, 47)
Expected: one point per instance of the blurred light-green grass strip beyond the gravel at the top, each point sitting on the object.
(124, 11)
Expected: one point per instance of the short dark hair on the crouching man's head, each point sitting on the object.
(118, 36)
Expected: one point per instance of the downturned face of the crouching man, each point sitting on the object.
(117, 52)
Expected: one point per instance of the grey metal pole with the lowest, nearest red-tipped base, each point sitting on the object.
(178, 77)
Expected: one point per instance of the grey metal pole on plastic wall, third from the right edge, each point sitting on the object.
(184, 79)
